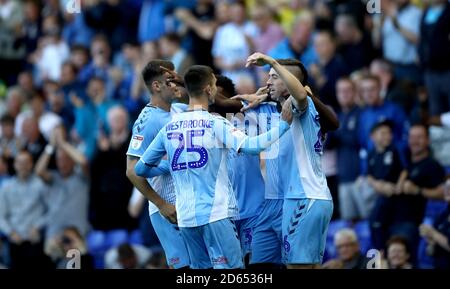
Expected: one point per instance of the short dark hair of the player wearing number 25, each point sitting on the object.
(197, 77)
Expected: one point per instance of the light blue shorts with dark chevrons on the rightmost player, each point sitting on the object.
(305, 225)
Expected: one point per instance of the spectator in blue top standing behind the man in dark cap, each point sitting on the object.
(376, 110)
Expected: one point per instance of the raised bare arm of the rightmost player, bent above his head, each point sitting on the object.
(295, 88)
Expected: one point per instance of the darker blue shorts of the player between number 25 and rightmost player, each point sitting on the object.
(266, 243)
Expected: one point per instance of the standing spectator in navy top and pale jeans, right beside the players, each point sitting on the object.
(351, 200)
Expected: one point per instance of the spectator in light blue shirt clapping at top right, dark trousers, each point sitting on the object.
(400, 34)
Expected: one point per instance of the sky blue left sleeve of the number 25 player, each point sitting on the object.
(151, 157)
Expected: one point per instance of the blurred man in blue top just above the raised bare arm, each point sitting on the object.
(298, 45)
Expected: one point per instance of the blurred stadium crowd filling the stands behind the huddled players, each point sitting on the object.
(70, 89)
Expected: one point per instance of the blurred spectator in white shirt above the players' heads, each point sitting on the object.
(232, 43)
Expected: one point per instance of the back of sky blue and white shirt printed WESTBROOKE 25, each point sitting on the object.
(198, 163)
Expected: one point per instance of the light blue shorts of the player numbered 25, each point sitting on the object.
(214, 245)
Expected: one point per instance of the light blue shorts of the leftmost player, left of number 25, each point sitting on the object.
(169, 236)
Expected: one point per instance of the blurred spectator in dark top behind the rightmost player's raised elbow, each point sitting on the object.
(328, 68)
